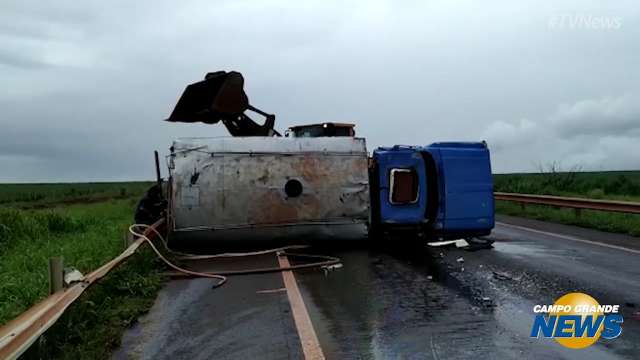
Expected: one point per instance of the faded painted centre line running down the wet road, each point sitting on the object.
(310, 344)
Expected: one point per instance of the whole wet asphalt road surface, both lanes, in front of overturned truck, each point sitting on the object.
(399, 301)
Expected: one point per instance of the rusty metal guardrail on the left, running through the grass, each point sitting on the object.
(20, 333)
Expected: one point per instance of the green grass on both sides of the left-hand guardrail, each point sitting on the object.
(86, 227)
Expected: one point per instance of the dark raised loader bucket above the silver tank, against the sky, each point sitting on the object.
(220, 96)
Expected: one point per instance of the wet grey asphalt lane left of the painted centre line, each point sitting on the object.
(247, 318)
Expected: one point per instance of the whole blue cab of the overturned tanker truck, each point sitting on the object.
(444, 190)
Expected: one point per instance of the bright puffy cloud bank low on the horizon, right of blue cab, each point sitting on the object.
(598, 134)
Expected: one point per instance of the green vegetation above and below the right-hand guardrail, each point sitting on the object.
(608, 185)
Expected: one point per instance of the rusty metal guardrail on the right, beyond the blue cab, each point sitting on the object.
(571, 202)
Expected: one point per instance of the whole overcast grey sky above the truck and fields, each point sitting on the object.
(85, 86)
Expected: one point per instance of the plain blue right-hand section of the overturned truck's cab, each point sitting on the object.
(467, 187)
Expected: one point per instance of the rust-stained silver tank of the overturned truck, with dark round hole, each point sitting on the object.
(265, 188)
